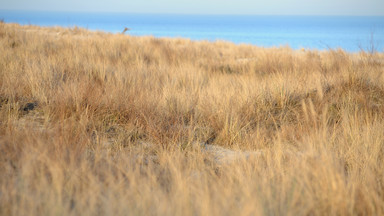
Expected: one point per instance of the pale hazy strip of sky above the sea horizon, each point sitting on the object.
(257, 7)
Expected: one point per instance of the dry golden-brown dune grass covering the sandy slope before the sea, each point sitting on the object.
(93, 123)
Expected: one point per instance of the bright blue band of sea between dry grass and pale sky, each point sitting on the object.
(351, 33)
